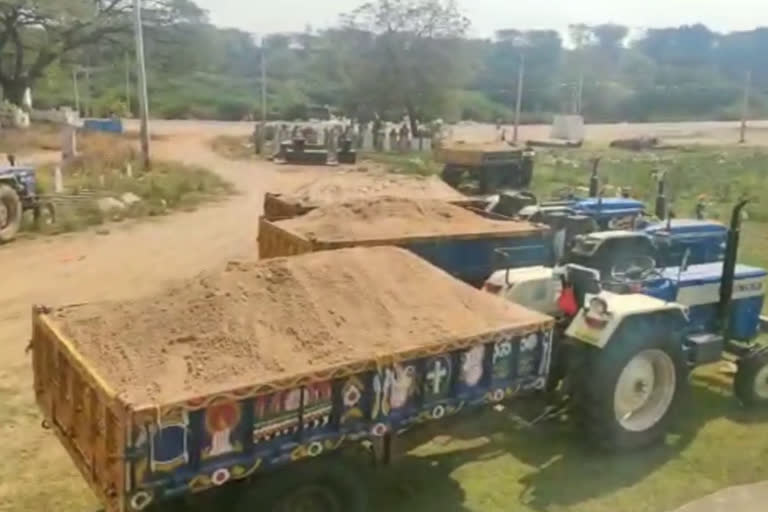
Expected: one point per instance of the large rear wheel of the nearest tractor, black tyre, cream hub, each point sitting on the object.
(627, 393)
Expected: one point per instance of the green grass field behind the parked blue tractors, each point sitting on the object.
(722, 174)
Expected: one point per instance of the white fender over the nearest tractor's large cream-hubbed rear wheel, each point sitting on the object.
(624, 311)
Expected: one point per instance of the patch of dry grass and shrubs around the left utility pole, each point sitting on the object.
(98, 186)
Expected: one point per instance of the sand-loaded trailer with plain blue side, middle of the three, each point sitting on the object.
(467, 243)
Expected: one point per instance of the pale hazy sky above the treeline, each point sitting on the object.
(490, 15)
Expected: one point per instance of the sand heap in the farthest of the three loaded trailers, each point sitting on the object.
(348, 185)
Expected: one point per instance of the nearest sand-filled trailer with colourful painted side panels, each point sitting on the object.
(269, 364)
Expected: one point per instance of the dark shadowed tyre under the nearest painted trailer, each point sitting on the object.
(327, 484)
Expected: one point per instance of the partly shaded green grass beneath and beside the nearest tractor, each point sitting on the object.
(486, 462)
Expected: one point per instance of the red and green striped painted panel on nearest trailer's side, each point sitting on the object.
(277, 415)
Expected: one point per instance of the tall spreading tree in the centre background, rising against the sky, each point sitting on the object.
(415, 52)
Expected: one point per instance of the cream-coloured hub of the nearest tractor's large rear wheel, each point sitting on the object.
(644, 390)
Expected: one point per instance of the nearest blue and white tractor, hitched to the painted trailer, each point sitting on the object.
(626, 340)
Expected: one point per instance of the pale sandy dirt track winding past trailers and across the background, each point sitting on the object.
(133, 260)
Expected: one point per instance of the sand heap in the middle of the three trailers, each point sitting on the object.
(392, 217)
